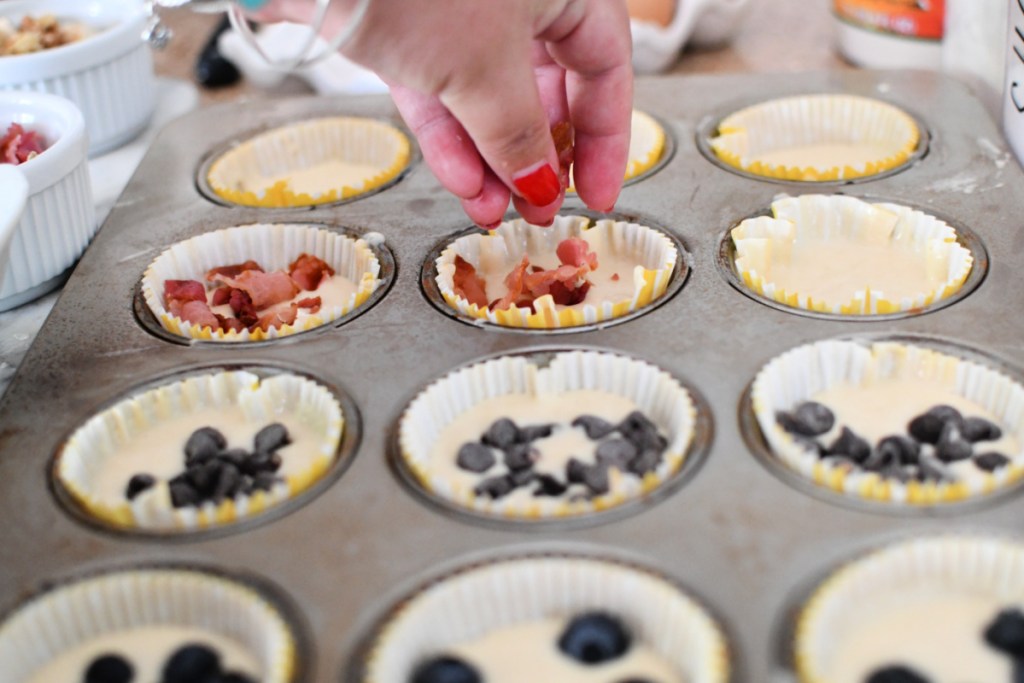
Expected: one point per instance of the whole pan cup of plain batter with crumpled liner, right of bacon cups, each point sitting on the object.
(792, 250)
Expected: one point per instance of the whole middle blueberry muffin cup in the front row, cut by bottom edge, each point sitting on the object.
(629, 622)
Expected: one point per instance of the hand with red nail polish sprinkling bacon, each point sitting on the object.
(483, 84)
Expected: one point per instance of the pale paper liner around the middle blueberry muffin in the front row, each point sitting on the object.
(481, 600)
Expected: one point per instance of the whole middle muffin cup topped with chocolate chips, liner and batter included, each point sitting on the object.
(551, 438)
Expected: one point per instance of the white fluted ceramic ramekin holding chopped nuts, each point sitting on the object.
(109, 75)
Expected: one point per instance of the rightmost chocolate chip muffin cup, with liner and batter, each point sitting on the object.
(889, 423)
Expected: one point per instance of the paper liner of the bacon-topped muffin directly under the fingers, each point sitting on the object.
(656, 258)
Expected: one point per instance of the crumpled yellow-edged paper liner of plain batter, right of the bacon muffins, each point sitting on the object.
(765, 243)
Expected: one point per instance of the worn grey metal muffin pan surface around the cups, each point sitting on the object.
(742, 541)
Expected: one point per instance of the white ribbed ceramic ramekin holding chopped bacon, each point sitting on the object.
(58, 219)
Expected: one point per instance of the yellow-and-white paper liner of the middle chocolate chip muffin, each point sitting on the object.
(651, 390)
